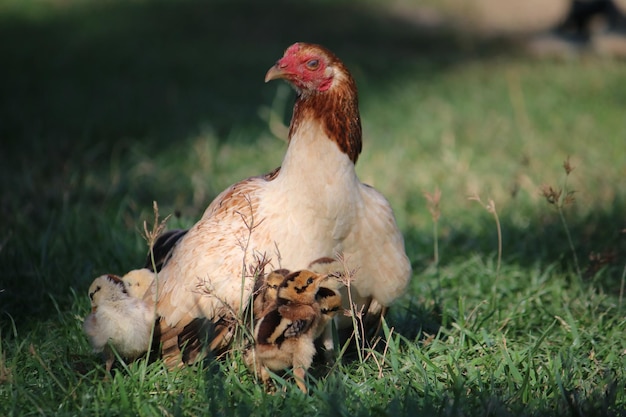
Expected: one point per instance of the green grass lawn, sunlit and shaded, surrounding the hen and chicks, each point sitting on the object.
(106, 108)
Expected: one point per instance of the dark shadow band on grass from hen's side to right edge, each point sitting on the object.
(599, 240)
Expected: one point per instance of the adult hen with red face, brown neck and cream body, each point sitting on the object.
(313, 206)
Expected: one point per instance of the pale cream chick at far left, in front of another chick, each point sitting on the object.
(117, 320)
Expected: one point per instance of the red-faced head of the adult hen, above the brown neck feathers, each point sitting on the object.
(308, 68)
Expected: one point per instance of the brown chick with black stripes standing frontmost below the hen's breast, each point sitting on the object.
(285, 333)
